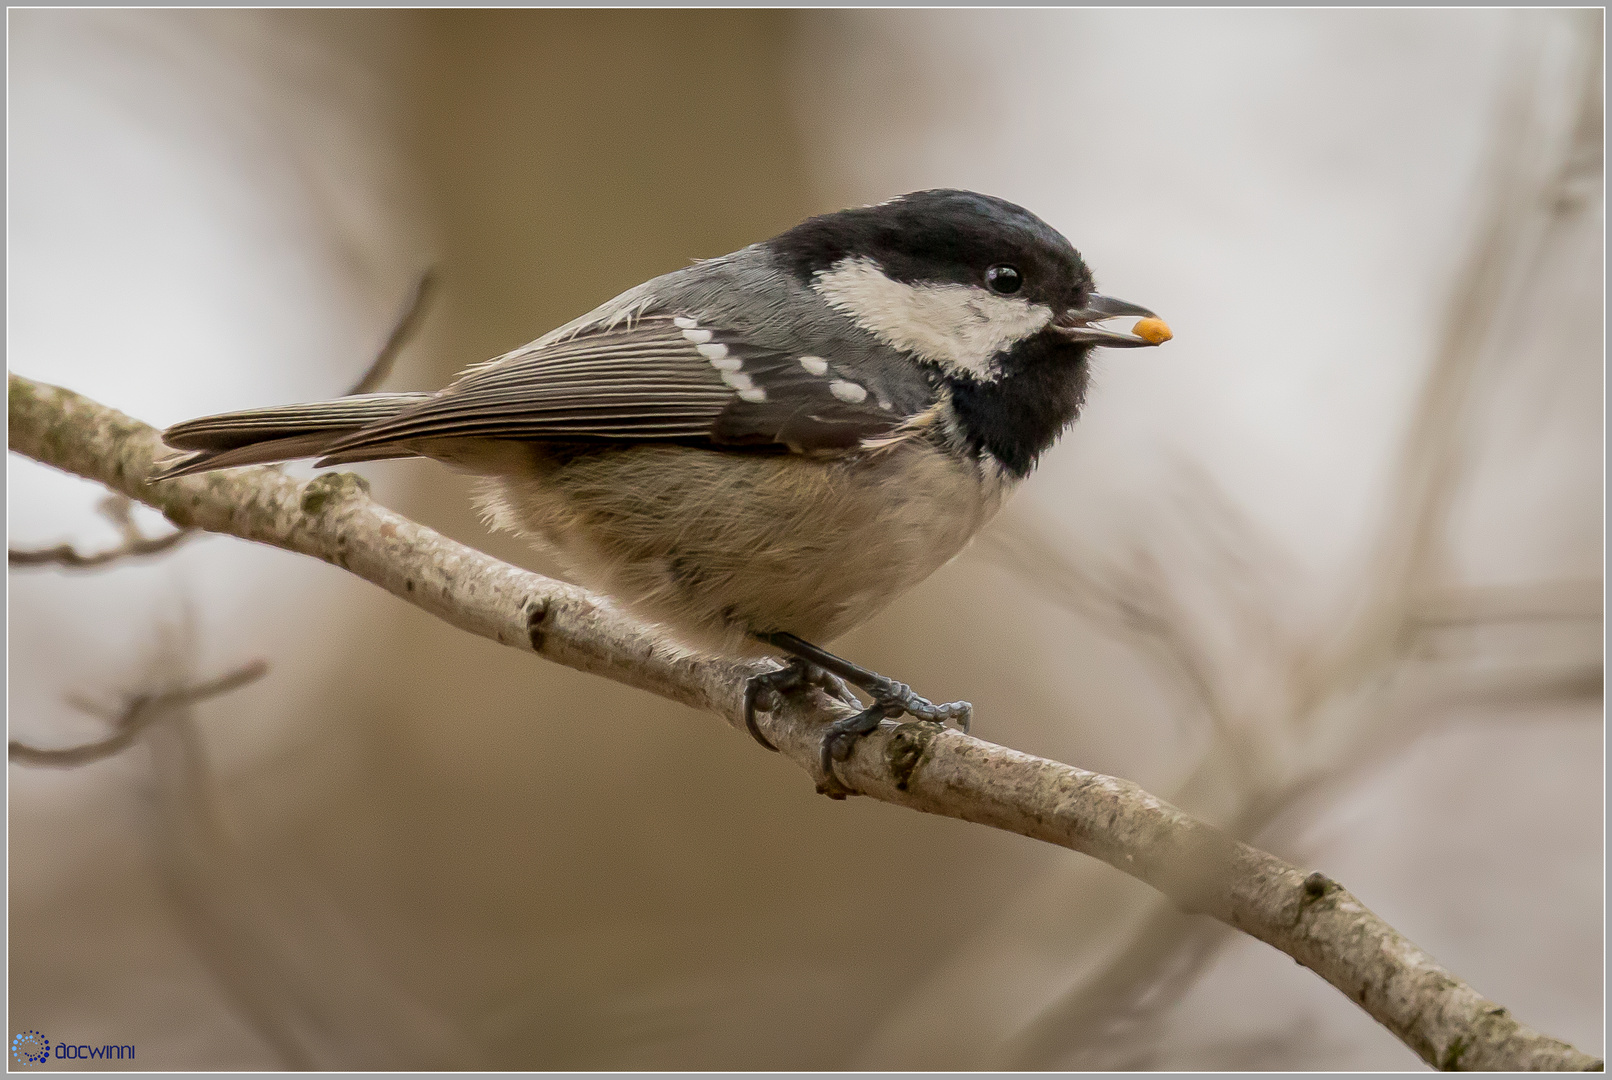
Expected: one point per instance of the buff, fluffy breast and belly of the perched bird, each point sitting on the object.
(715, 546)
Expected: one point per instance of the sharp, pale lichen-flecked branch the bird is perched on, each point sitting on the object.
(921, 766)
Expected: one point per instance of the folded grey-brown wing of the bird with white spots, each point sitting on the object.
(660, 378)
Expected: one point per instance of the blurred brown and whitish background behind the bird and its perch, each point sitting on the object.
(1326, 570)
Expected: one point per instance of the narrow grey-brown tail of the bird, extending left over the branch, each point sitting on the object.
(280, 434)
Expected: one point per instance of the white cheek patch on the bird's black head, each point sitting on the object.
(962, 328)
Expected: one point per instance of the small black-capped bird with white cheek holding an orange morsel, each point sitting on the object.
(760, 452)
